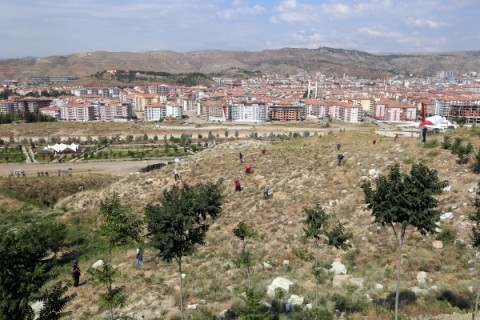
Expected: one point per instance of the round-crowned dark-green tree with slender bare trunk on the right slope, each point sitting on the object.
(402, 200)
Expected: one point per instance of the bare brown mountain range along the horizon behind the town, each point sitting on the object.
(283, 61)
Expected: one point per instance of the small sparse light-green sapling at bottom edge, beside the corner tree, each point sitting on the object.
(114, 297)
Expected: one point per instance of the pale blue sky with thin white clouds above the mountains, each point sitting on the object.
(58, 27)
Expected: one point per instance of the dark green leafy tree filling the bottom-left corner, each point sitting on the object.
(26, 267)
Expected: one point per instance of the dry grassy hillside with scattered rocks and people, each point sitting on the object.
(301, 173)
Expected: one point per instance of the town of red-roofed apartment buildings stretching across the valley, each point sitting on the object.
(273, 98)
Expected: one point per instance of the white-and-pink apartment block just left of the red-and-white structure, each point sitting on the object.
(394, 111)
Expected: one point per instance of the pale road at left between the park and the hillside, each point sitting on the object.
(120, 168)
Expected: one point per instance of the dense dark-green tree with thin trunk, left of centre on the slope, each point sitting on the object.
(179, 223)
